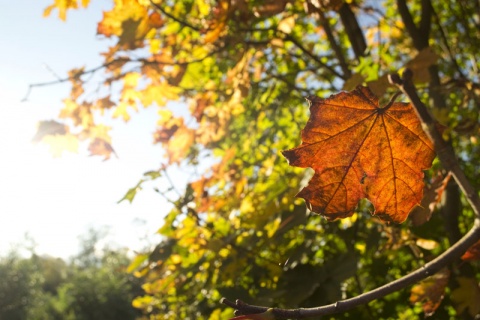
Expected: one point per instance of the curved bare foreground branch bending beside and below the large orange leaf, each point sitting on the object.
(447, 158)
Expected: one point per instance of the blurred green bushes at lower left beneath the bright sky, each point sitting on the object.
(93, 284)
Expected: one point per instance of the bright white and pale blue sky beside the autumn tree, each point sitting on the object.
(56, 200)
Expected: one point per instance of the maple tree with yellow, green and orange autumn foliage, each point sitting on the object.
(243, 69)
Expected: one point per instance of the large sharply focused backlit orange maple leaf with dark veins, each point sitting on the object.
(360, 150)
